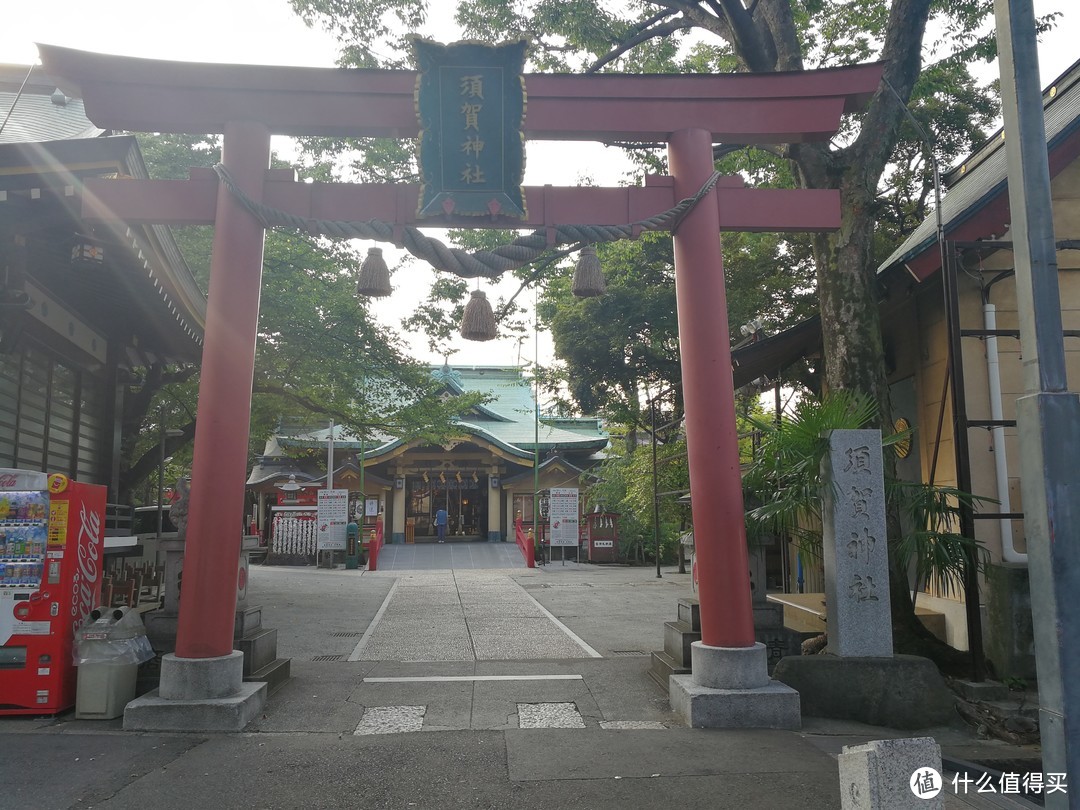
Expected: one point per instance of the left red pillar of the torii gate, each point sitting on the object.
(223, 420)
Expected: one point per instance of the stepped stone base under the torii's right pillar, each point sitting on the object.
(730, 687)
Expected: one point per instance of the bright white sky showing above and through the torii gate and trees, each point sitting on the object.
(268, 33)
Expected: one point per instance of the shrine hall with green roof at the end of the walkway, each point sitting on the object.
(483, 477)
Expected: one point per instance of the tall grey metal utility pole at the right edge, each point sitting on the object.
(1048, 416)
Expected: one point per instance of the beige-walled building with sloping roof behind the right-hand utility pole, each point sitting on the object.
(976, 219)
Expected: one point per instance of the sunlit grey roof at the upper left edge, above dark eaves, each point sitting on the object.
(43, 112)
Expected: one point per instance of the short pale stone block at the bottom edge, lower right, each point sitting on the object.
(893, 775)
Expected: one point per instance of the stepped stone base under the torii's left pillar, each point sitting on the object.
(198, 695)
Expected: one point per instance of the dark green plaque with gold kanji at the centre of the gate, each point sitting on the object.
(470, 101)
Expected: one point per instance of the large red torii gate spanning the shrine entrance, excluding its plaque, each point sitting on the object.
(247, 104)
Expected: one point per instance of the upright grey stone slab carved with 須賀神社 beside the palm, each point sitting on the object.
(855, 546)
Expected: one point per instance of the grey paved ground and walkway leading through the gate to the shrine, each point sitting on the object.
(452, 688)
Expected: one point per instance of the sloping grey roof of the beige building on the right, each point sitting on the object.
(984, 174)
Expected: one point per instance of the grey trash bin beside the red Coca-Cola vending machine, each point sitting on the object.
(109, 650)
